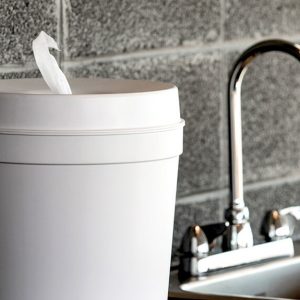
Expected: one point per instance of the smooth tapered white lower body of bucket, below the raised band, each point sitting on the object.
(86, 232)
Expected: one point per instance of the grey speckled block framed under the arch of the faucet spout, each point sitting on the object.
(270, 113)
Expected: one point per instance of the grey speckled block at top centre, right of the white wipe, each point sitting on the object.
(104, 27)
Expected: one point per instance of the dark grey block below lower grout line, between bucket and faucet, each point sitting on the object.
(186, 215)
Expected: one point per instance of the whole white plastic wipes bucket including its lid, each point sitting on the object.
(87, 189)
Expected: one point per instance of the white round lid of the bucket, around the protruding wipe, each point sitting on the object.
(97, 105)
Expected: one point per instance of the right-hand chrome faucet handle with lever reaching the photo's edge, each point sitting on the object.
(279, 224)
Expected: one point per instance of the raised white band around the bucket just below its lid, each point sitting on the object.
(91, 149)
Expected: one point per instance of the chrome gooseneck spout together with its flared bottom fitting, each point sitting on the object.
(239, 234)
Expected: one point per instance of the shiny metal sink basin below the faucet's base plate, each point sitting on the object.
(279, 279)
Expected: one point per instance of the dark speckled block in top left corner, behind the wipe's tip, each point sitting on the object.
(21, 21)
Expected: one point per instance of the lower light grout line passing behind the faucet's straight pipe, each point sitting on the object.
(203, 197)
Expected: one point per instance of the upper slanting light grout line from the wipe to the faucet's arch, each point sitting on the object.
(201, 48)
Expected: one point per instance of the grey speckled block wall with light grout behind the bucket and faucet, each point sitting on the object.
(192, 44)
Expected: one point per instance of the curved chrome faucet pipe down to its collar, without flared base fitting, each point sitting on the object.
(237, 203)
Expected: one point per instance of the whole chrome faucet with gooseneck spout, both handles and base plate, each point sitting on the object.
(198, 242)
